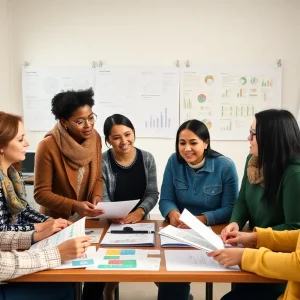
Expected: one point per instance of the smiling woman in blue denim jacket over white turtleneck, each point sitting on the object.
(199, 179)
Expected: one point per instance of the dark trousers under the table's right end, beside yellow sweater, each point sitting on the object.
(255, 291)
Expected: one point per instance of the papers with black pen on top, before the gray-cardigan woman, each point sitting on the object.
(142, 234)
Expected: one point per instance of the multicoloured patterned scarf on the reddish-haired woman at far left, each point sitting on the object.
(14, 191)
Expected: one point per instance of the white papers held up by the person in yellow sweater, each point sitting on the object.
(203, 238)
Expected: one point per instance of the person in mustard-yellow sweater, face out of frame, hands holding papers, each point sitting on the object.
(284, 265)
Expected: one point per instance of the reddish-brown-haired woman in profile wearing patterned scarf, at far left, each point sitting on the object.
(15, 212)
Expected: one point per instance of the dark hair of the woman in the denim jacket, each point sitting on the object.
(199, 129)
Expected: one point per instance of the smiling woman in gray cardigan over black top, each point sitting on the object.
(129, 173)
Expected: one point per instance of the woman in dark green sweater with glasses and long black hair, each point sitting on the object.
(270, 190)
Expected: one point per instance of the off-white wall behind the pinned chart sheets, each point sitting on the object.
(157, 32)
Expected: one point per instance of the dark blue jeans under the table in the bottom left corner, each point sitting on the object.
(37, 291)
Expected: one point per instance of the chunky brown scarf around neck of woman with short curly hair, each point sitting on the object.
(76, 155)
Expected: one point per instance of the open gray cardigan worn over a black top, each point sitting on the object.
(109, 181)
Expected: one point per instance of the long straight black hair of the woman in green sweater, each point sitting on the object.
(278, 140)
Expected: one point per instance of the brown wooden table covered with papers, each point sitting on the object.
(82, 275)
